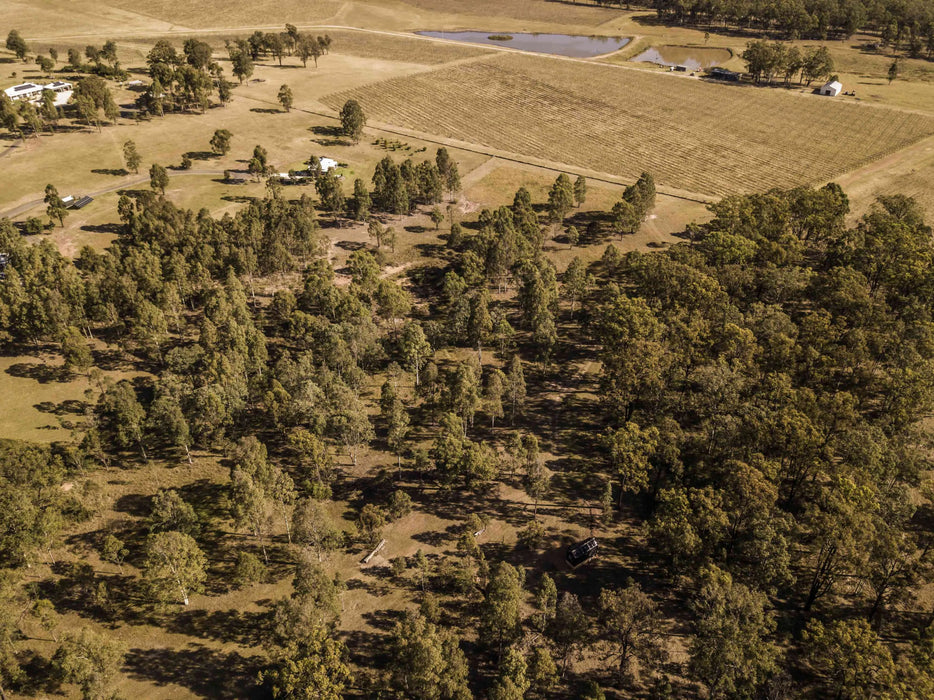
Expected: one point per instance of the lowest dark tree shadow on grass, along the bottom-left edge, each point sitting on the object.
(204, 671)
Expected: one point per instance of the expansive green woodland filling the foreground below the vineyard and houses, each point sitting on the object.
(763, 387)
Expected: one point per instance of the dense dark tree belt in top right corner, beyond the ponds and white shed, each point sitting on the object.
(907, 24)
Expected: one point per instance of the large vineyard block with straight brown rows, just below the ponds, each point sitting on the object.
(690, 134)
